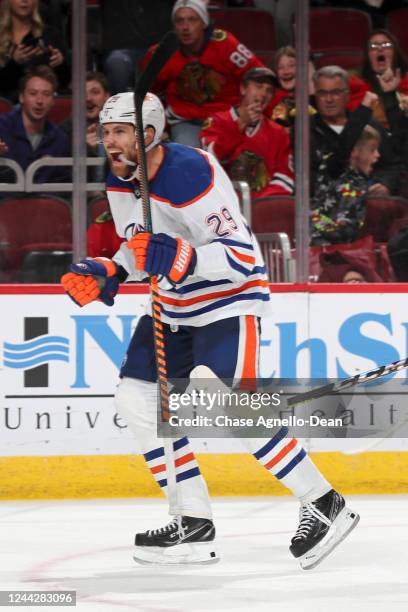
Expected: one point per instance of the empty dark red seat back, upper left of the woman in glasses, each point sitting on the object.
(336, 28)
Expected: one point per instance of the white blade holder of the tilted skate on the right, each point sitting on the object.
(339, 530)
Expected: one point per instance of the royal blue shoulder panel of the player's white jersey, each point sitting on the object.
(184, 177)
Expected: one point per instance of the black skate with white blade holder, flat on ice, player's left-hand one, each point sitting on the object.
(184, 540)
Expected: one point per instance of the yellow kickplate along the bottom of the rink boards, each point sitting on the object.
(94, 476)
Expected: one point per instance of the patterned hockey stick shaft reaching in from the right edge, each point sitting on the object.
(347, 383)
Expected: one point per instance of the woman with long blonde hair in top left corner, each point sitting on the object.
(25, 41)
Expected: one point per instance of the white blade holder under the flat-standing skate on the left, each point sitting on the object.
(200, 553)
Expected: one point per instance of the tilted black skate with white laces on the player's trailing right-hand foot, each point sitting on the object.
(323, 524)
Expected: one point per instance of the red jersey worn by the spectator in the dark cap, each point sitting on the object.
(260, 155)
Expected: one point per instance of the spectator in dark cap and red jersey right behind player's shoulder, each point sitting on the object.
(254, 148)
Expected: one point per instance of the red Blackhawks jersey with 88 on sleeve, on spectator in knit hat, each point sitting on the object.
(198, 86)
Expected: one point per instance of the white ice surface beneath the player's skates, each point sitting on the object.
(86, 546)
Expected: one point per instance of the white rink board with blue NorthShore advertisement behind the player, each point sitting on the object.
(59, 364)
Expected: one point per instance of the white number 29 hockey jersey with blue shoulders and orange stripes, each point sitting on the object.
(193, 198)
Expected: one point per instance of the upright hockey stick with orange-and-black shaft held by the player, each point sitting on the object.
(165, 49)
